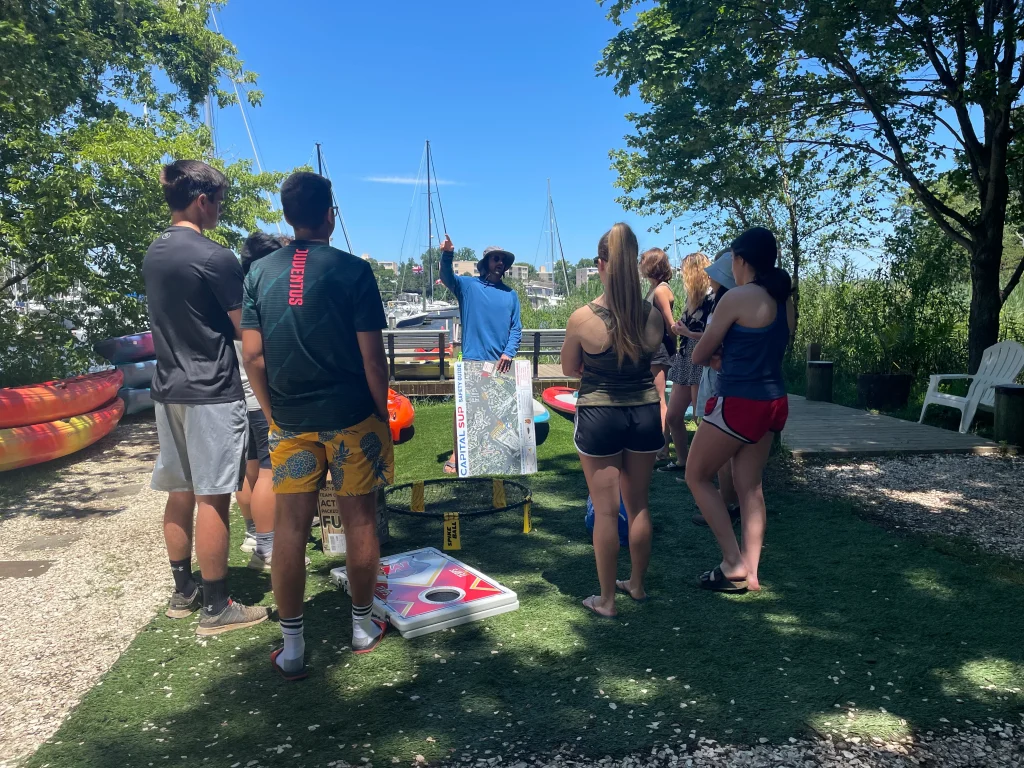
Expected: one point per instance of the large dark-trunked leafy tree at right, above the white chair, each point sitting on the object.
(891, 89)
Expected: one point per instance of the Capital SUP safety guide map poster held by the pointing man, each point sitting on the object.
(495, 431)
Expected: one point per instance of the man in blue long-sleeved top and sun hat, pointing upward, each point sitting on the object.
(492, 329)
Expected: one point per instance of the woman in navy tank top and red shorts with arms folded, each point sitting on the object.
(746, 345)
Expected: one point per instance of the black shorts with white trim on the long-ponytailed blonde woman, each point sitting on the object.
(609, 431)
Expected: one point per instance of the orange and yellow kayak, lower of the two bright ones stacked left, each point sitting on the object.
(23, 447)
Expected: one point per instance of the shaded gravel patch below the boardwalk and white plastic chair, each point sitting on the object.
(979, 498)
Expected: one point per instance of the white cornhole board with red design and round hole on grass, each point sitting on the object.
(426, 591)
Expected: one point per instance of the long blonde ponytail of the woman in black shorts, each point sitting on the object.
(620, 250)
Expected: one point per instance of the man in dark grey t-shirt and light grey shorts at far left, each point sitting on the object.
(194, 293)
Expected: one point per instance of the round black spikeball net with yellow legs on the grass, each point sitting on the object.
(453, 499)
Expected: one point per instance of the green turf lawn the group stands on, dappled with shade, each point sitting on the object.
(858, 632)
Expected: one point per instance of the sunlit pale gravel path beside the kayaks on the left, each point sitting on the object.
(92, 527)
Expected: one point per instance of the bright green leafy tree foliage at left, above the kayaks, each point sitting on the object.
(80, 159)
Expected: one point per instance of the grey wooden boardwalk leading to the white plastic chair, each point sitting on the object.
(824, 430)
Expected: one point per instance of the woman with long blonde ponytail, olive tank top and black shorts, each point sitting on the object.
(610, 344)
